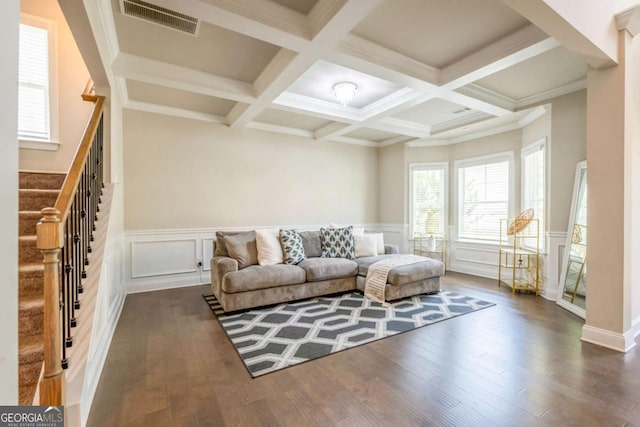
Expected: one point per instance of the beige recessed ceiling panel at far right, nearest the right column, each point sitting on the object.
(541, 73)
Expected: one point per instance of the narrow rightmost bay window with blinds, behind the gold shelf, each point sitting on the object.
(534, 185)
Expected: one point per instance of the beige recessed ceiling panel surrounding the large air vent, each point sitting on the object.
(214, 50)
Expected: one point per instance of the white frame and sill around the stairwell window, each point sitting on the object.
(52, 143)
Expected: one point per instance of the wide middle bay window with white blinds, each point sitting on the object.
(483, 196)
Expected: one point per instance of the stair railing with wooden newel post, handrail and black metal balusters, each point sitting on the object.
(65, 233)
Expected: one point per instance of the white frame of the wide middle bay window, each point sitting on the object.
(476, 161)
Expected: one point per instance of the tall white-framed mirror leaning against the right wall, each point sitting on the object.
(572, 292)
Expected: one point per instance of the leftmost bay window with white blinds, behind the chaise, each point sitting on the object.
(428, 192)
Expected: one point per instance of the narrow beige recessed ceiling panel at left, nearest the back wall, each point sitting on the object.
(161, 95)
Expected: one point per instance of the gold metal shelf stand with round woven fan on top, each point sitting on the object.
(519, 253)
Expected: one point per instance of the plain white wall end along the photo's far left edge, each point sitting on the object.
(9, 21)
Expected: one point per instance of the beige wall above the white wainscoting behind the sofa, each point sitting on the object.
(182, 173)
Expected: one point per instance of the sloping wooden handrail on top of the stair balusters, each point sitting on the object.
(70, 185)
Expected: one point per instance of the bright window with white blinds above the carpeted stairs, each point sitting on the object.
(34, 82)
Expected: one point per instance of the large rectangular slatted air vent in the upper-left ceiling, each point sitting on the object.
(159, 15)
